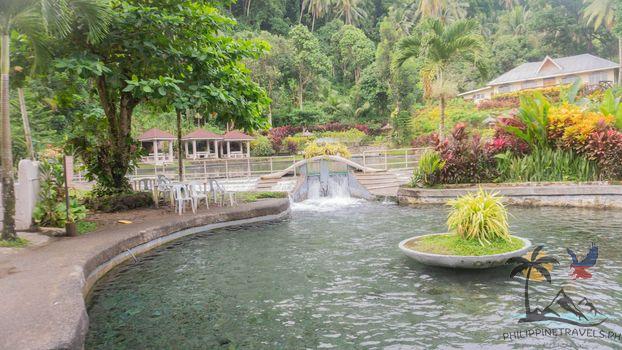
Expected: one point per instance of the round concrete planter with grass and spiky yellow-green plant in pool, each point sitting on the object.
(479, 236)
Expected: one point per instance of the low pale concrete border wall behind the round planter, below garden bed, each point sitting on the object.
(588, 194)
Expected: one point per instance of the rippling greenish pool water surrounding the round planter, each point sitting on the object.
(332, 276)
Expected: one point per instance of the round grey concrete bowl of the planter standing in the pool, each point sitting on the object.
(459, 261)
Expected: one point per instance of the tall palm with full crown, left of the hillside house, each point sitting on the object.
(437, 47)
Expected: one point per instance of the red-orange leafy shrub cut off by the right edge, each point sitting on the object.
(604, 146)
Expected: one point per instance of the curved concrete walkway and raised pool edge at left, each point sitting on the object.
(43, 290)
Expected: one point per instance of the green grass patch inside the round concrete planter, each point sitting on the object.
(451, 244)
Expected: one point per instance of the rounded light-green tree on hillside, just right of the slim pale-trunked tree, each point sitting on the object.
(355, 51)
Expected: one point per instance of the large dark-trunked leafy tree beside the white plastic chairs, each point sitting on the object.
(156, 52)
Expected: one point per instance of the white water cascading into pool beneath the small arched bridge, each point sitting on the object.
(335, 196)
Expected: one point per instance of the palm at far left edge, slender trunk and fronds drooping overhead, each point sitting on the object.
(37, 19)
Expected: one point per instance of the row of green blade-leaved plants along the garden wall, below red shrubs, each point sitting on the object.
(546, 164)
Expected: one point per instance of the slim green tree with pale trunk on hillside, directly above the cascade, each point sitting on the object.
(309, 60)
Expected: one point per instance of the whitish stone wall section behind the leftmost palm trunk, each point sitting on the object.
(26, 193)
